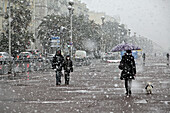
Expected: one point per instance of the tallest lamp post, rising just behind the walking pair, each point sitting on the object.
(71, 9)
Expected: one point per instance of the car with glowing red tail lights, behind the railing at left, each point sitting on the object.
(25, 56)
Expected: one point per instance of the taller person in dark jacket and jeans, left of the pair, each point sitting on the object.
(57, 64)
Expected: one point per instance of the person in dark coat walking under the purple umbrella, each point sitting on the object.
(128, 67)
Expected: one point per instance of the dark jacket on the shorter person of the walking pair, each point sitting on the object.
(68, 66)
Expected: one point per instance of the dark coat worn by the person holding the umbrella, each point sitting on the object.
(128, 67)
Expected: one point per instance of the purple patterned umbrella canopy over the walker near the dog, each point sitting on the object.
(124, 47)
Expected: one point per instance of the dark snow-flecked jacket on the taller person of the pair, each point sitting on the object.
(57, 62)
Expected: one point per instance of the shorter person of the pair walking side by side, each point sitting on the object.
(68, 67)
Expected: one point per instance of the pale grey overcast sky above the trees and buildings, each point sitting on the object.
(149, 18)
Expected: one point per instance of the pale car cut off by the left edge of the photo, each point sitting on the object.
(4, 56)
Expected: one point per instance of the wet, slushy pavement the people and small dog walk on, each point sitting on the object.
(93, 89)
